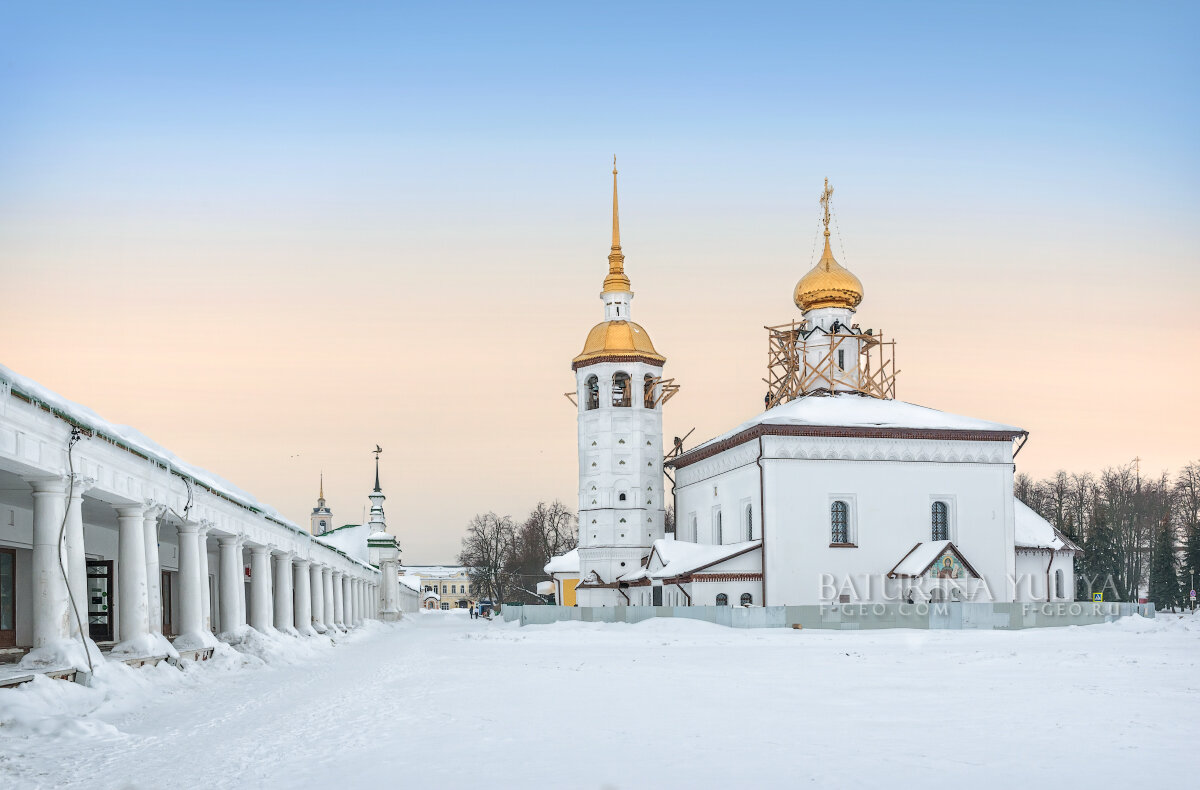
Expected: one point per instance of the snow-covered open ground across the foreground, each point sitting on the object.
(447, 702)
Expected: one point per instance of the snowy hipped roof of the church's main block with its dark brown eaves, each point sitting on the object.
(850, 415)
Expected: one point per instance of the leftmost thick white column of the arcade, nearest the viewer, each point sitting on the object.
(51, 624)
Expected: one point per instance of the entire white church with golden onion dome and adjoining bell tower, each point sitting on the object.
(837, 493)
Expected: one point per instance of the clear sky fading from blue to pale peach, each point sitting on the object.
(271, 236)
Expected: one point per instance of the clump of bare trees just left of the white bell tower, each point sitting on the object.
(507, 559)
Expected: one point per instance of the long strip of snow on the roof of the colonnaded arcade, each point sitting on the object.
(134, 441)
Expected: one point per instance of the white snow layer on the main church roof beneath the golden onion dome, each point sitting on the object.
(857, 411)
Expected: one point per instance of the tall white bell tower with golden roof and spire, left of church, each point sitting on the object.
(620, 396)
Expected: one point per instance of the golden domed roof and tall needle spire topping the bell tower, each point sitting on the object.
(617, 338)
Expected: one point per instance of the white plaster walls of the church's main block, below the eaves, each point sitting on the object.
(891, 486)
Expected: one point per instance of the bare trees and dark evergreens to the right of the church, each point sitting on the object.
(1138, 534)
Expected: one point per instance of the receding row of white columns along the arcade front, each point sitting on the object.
(289, 594)
